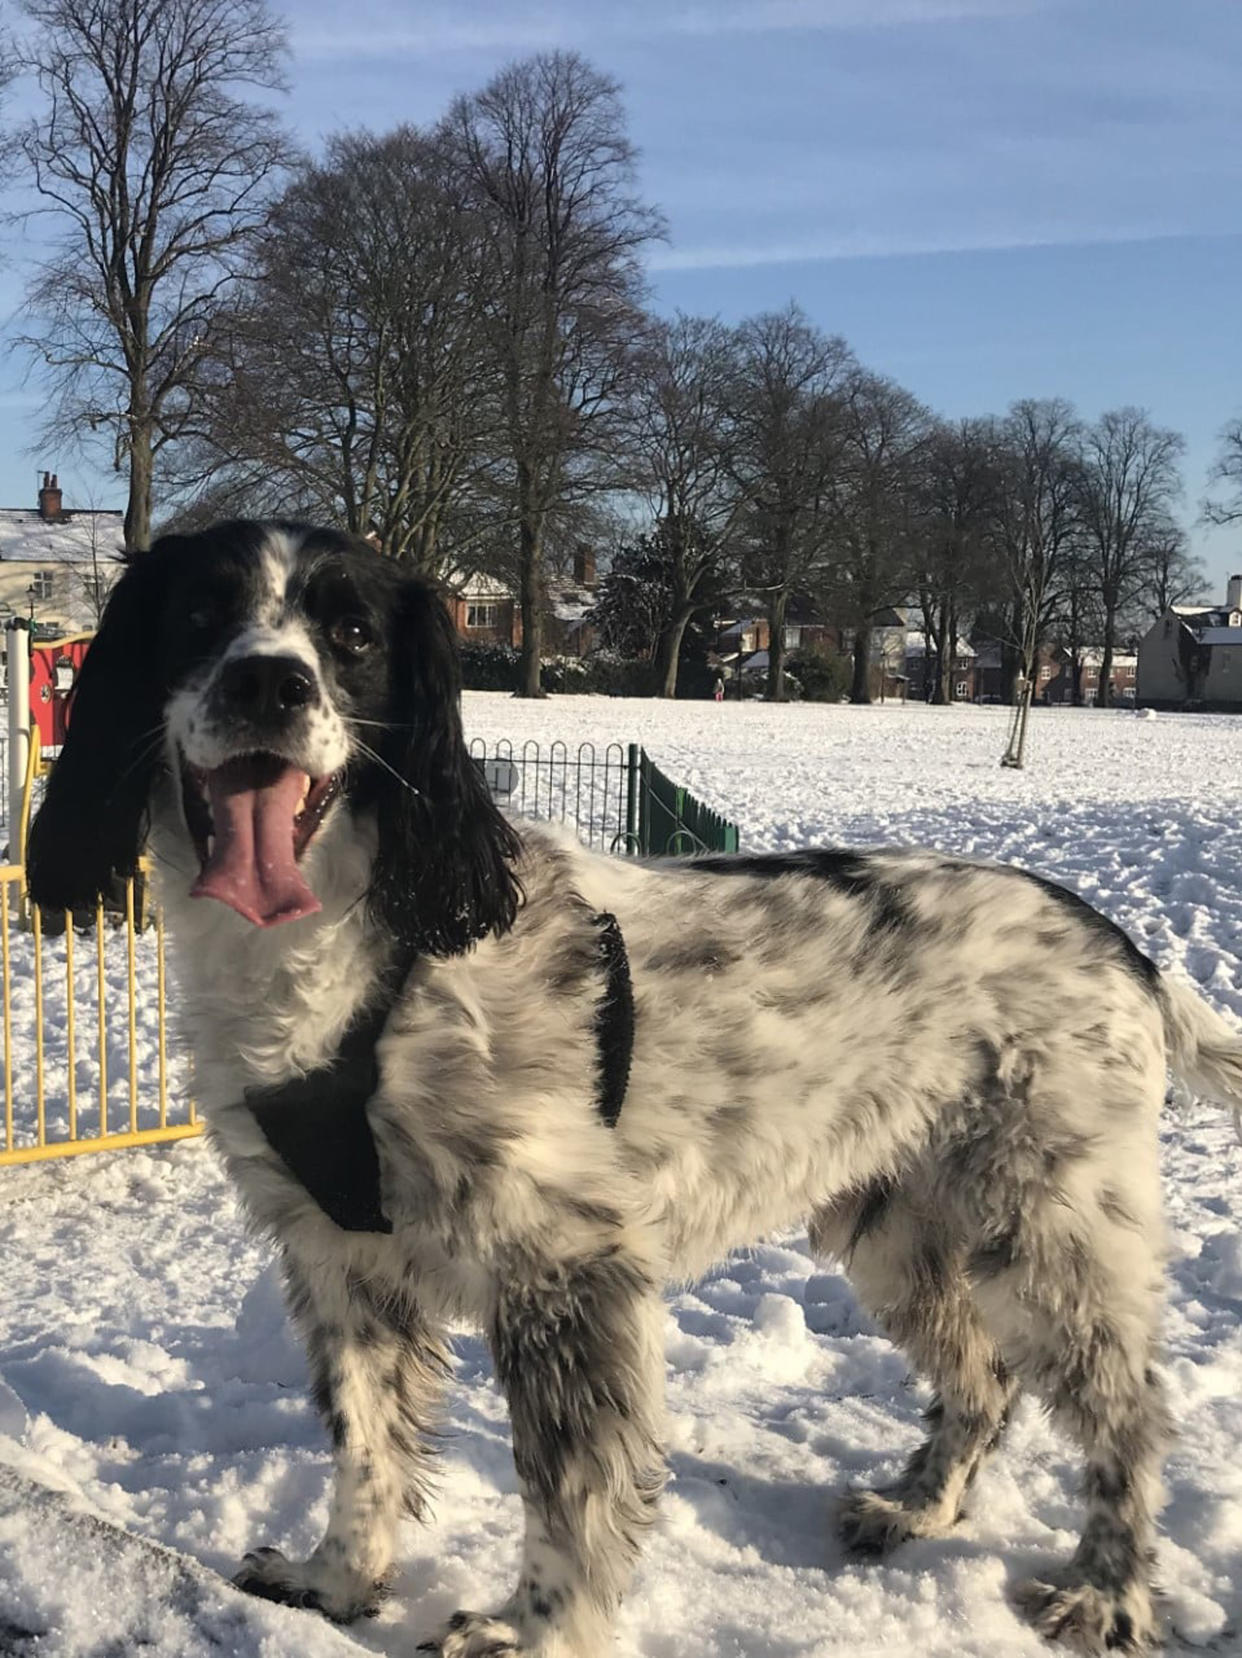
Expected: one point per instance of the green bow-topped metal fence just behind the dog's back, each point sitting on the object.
(614, 797)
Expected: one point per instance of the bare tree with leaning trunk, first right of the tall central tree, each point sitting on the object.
(684, 439)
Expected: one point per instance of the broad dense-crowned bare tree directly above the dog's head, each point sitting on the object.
(352, 376)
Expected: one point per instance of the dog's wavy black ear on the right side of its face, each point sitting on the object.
(444, 873)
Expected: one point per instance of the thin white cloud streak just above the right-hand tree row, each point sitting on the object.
(875, 246)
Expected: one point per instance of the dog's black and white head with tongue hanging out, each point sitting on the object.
(251, 686)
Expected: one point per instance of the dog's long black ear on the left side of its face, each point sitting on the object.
(94, 815)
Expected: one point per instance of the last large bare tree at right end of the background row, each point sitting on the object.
(1128, 482)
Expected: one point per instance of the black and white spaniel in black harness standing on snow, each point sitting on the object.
(487, 1074)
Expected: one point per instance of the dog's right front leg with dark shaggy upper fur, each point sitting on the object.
(580, 1354)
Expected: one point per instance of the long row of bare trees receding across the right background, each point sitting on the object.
(782, 468)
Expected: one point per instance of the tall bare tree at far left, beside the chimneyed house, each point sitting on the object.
(155, 173)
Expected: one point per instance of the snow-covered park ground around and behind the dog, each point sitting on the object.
(150, 1390)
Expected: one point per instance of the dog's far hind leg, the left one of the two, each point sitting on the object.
(911, 1279)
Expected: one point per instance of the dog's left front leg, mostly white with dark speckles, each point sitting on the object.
(376, 1372)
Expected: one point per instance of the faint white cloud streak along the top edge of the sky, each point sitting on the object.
(377, 34)
